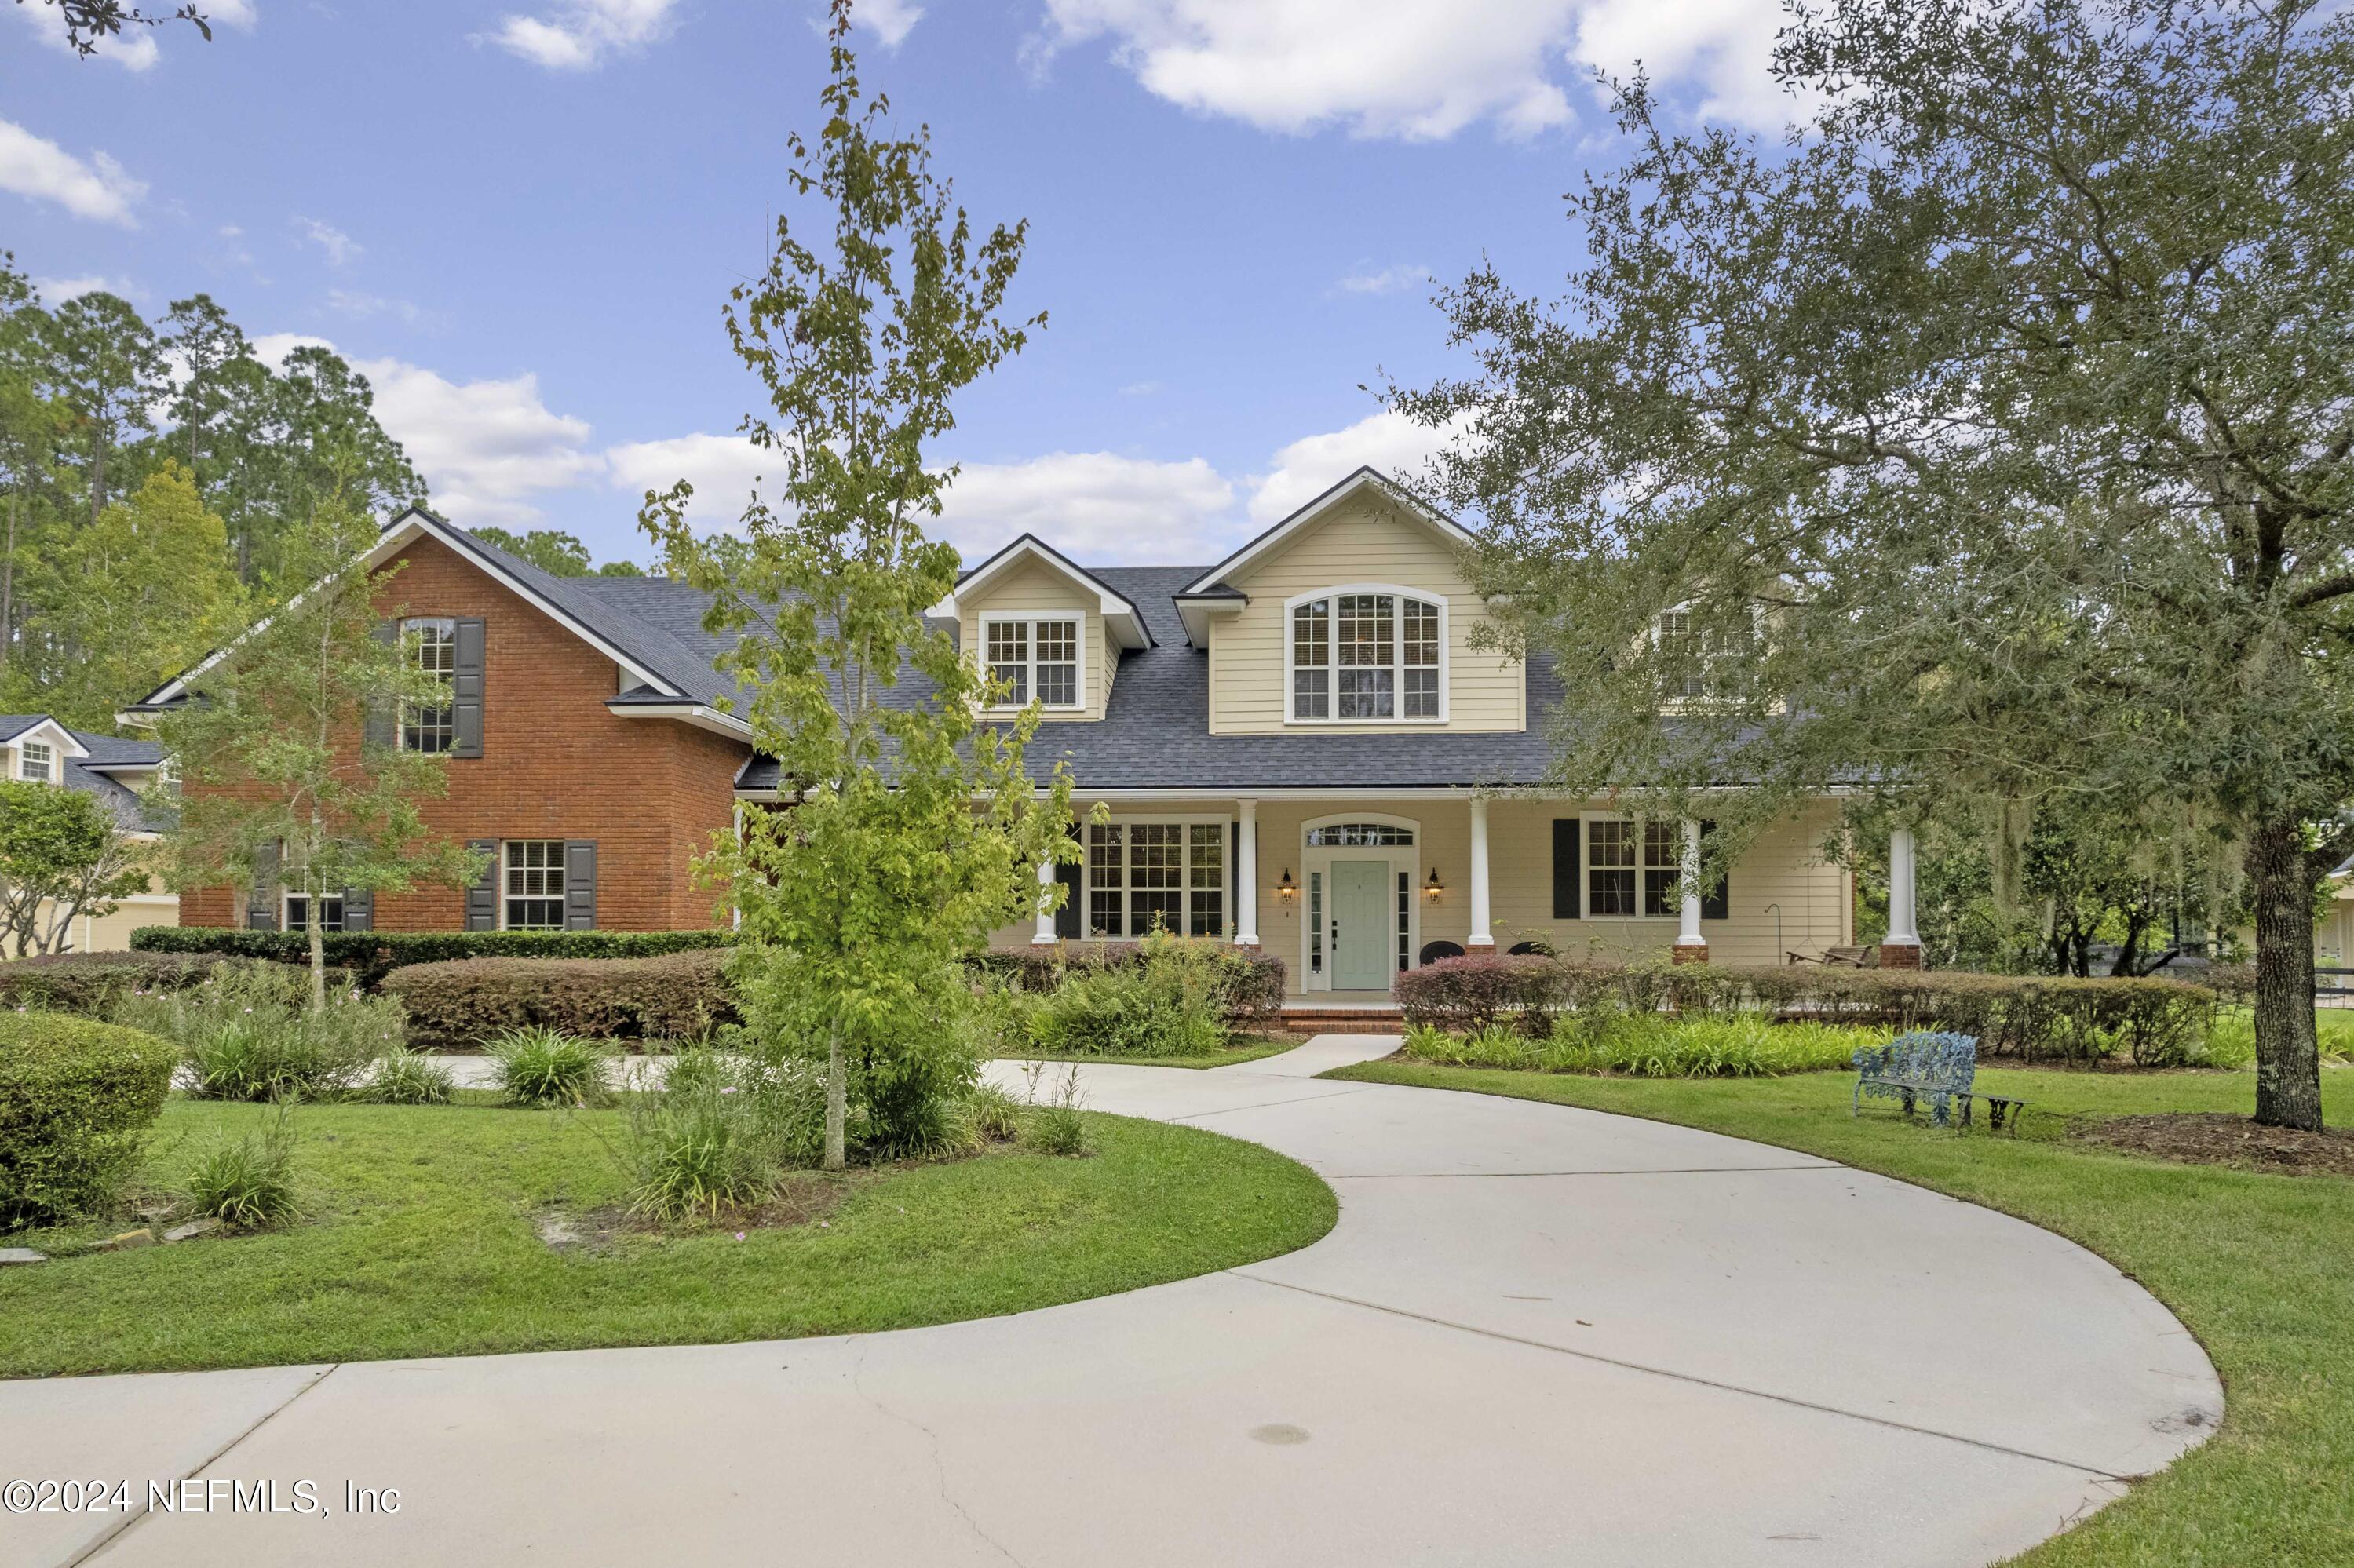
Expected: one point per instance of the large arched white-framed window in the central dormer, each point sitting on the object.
(1366, 656)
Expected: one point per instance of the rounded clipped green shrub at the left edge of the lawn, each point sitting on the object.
(77, 1101)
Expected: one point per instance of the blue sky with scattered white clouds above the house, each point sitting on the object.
(521, 220)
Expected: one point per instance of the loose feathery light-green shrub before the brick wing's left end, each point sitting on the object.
(248, 1032)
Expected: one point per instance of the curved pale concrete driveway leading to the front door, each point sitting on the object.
(1538, 1336)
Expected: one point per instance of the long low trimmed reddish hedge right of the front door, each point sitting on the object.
(2155, 1023)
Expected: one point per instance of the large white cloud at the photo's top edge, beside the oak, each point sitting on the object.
(1414, 69)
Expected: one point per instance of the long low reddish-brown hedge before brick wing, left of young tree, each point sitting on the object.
(604, 999)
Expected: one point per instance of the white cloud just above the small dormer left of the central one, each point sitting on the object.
(1096, 507)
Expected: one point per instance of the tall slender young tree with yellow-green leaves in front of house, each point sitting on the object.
(907, 830)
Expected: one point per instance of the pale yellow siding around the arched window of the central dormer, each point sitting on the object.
(1359, 543)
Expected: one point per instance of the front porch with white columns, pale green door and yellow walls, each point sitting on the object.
(1352, 889)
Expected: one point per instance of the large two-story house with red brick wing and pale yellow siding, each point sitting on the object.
(1301, 750)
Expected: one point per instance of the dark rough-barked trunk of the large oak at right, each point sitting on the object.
(2287, 1061)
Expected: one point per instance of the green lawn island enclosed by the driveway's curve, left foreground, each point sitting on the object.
(418, 1240)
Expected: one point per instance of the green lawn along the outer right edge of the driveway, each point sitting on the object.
(2261, 1268)
